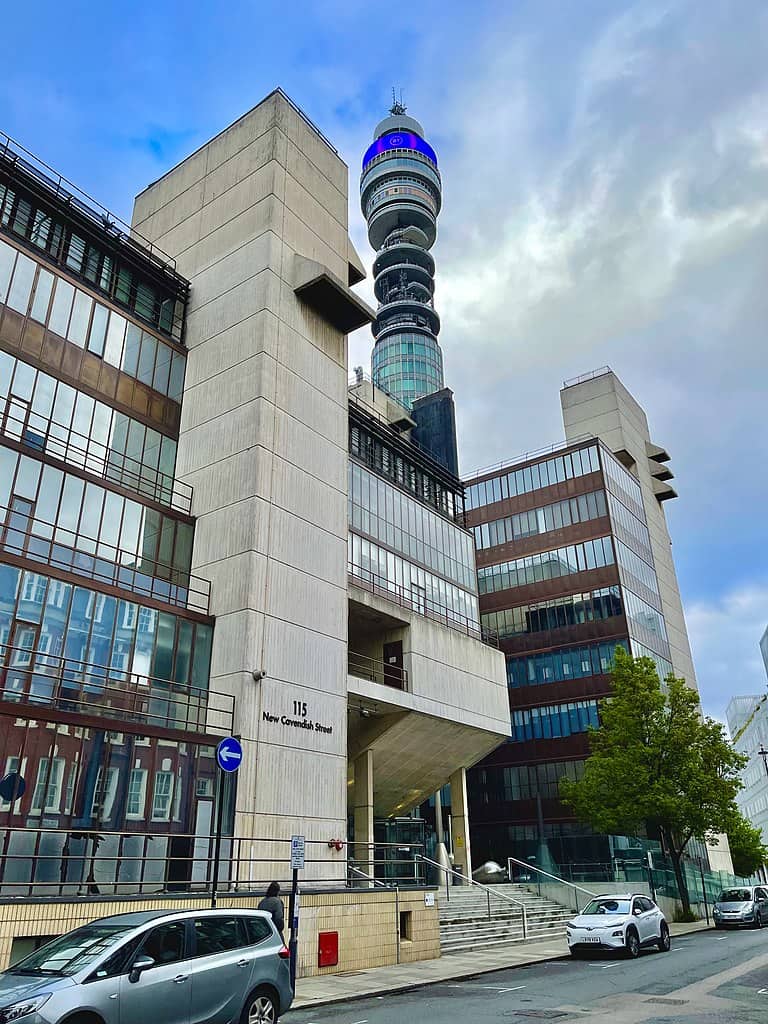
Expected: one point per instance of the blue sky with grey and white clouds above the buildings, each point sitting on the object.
(606, 174)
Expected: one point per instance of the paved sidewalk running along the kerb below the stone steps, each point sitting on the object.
(380, 980)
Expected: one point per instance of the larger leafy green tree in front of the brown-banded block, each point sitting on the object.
(657, 765)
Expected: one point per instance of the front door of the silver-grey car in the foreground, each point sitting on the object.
(163, 992)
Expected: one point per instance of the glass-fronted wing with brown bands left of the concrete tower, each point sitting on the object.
(105, 633)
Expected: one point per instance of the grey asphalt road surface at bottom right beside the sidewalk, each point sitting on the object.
(707, 978)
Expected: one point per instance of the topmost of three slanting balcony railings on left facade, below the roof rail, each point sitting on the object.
(61, 442)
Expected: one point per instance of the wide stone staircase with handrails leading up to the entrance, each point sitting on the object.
(465, 926)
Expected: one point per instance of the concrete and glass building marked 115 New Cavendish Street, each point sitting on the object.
(184, 556)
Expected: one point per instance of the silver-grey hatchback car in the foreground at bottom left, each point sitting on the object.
(198, 967)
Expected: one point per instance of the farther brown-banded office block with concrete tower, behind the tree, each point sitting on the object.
(574, 560)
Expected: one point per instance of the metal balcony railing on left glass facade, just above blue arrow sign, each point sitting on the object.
(40, 679)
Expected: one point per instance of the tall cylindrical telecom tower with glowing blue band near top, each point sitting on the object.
(401, 197)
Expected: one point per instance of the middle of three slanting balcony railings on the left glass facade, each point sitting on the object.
(29, 537)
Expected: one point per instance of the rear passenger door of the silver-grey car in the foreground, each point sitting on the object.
(222, 968)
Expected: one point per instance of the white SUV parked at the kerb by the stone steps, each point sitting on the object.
(619, 922)
